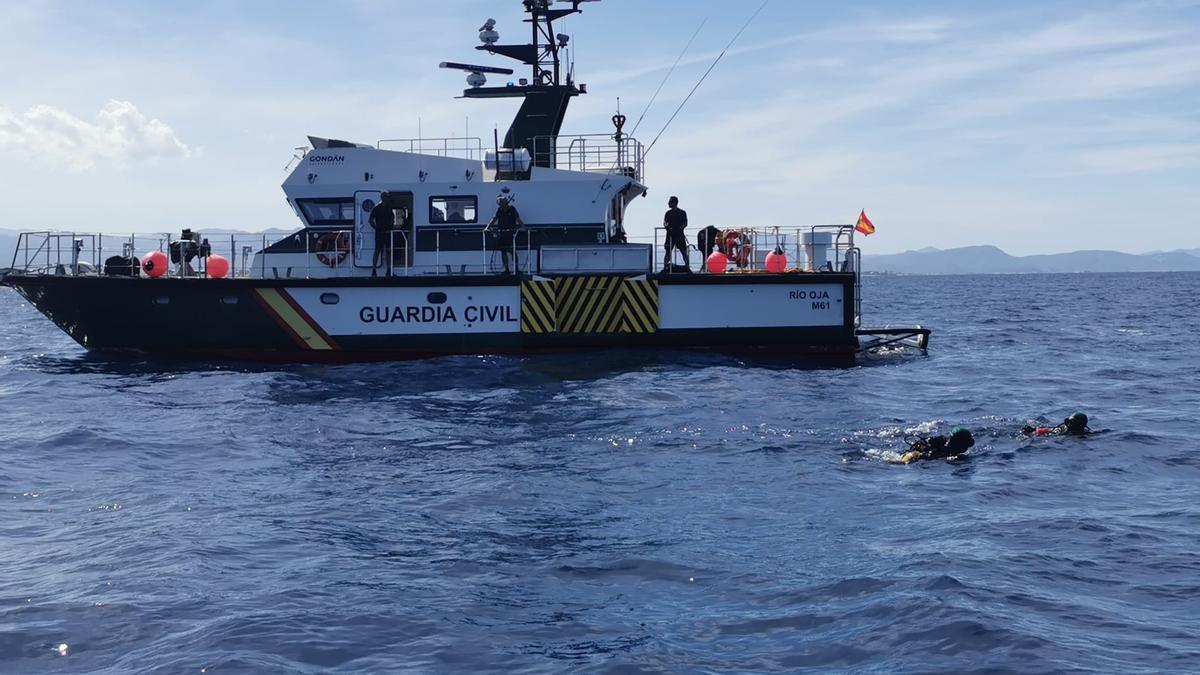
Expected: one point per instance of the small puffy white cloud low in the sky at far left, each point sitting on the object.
(119, 134)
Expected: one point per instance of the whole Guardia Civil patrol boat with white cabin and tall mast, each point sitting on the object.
(435, 284)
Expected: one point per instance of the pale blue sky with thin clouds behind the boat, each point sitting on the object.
(1035, 127)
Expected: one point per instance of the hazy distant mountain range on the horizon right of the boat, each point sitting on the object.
(991, 260)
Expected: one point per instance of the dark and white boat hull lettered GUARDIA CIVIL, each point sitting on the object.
(375, 320)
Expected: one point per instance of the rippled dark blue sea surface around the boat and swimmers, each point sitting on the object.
(620, 512)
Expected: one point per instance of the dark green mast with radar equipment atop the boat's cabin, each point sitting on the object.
(547, 95)
